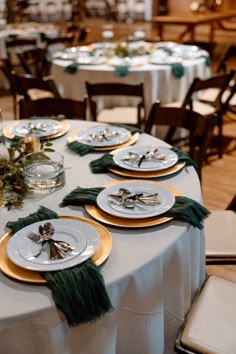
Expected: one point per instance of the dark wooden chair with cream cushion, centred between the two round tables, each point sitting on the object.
(132, 115)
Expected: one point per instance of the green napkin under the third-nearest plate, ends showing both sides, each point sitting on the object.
(101, 164)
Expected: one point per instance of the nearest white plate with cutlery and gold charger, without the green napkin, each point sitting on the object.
(52, 245)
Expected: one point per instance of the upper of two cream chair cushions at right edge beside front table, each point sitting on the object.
(220, 233)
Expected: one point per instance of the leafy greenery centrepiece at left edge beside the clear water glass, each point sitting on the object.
(13, 188)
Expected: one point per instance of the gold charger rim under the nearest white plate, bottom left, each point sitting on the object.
(18, 273)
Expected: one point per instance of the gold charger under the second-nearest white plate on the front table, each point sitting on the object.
(101, 216)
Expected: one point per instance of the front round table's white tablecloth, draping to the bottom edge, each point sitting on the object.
(151, 276)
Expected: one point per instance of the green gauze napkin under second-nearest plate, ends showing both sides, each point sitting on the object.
(184, 209)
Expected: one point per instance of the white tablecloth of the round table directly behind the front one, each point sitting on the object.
(159, 81)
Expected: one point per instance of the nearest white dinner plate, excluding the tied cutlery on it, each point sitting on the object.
(84, 238)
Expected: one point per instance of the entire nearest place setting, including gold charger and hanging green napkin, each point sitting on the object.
(60, 252)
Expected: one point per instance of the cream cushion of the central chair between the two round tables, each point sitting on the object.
(124, 115)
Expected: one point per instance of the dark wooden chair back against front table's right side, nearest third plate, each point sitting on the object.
(200, 128)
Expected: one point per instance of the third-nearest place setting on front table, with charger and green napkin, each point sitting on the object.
(143, 162)
